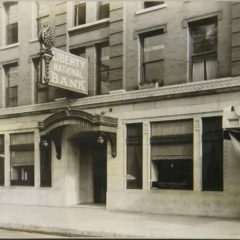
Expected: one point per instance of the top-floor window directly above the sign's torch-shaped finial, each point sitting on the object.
(42, 14)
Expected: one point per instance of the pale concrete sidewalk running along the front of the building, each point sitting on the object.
(83, 221)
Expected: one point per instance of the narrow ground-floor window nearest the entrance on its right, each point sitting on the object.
(134, 156)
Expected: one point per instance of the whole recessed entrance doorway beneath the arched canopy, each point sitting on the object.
(93, 170)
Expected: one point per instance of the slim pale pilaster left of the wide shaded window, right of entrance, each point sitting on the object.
(146, 155)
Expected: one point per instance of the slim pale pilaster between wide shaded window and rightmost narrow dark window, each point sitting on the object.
(197, 154)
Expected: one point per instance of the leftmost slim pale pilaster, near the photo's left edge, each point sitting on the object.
(7, 167)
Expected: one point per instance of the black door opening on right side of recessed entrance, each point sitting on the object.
(99, 172)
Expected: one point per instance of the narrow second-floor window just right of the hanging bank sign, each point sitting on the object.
(102, 68)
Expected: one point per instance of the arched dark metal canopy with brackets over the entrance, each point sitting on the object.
(51, 128)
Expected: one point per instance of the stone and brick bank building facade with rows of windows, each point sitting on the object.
(163, 85)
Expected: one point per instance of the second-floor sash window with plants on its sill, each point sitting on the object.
(152, 57)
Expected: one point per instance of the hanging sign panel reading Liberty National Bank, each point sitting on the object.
(68, 71)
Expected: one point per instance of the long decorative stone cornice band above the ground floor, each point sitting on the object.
(118, 98)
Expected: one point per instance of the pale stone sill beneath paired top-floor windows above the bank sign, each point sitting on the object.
(89, 26)
